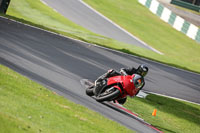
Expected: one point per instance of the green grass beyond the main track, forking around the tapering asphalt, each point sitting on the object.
(179, 50)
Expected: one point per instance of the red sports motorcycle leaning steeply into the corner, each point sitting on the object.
(116, 88)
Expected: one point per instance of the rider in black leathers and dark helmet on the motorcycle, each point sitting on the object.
(142, 70)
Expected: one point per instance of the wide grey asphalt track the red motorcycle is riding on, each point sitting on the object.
(60, 63)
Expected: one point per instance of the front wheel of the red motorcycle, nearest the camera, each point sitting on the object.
(108, 95)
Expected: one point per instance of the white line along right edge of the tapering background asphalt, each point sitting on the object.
(128, 33)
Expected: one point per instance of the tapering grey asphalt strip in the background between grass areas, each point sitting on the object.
(77, 12)
